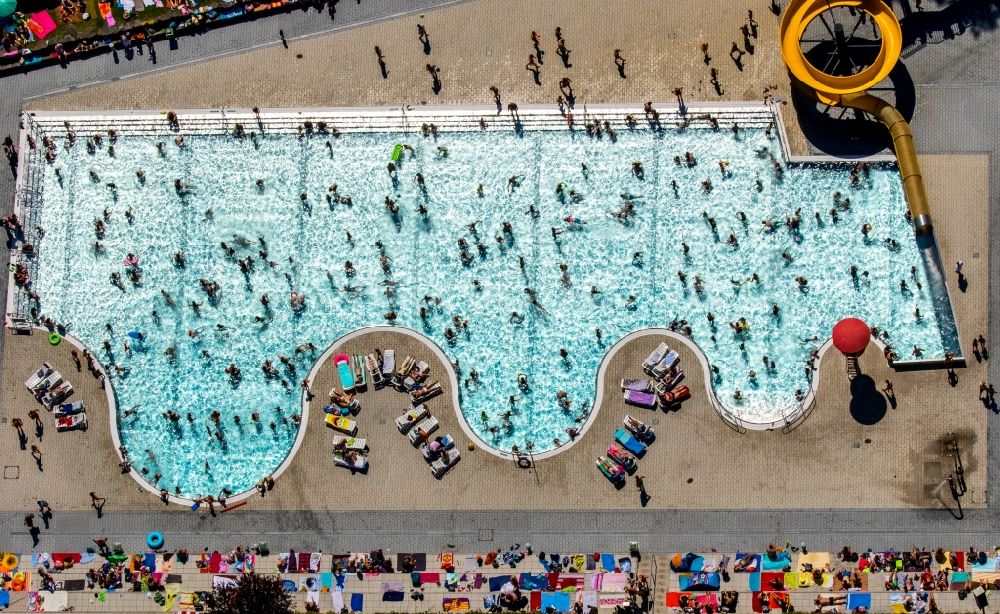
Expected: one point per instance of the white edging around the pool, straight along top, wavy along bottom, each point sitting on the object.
(408, 119)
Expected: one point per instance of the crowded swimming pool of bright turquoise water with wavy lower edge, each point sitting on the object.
(604, 285)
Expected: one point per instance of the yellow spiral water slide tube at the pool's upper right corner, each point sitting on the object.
(851, 91)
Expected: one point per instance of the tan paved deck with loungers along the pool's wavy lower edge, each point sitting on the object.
(697, 461)
